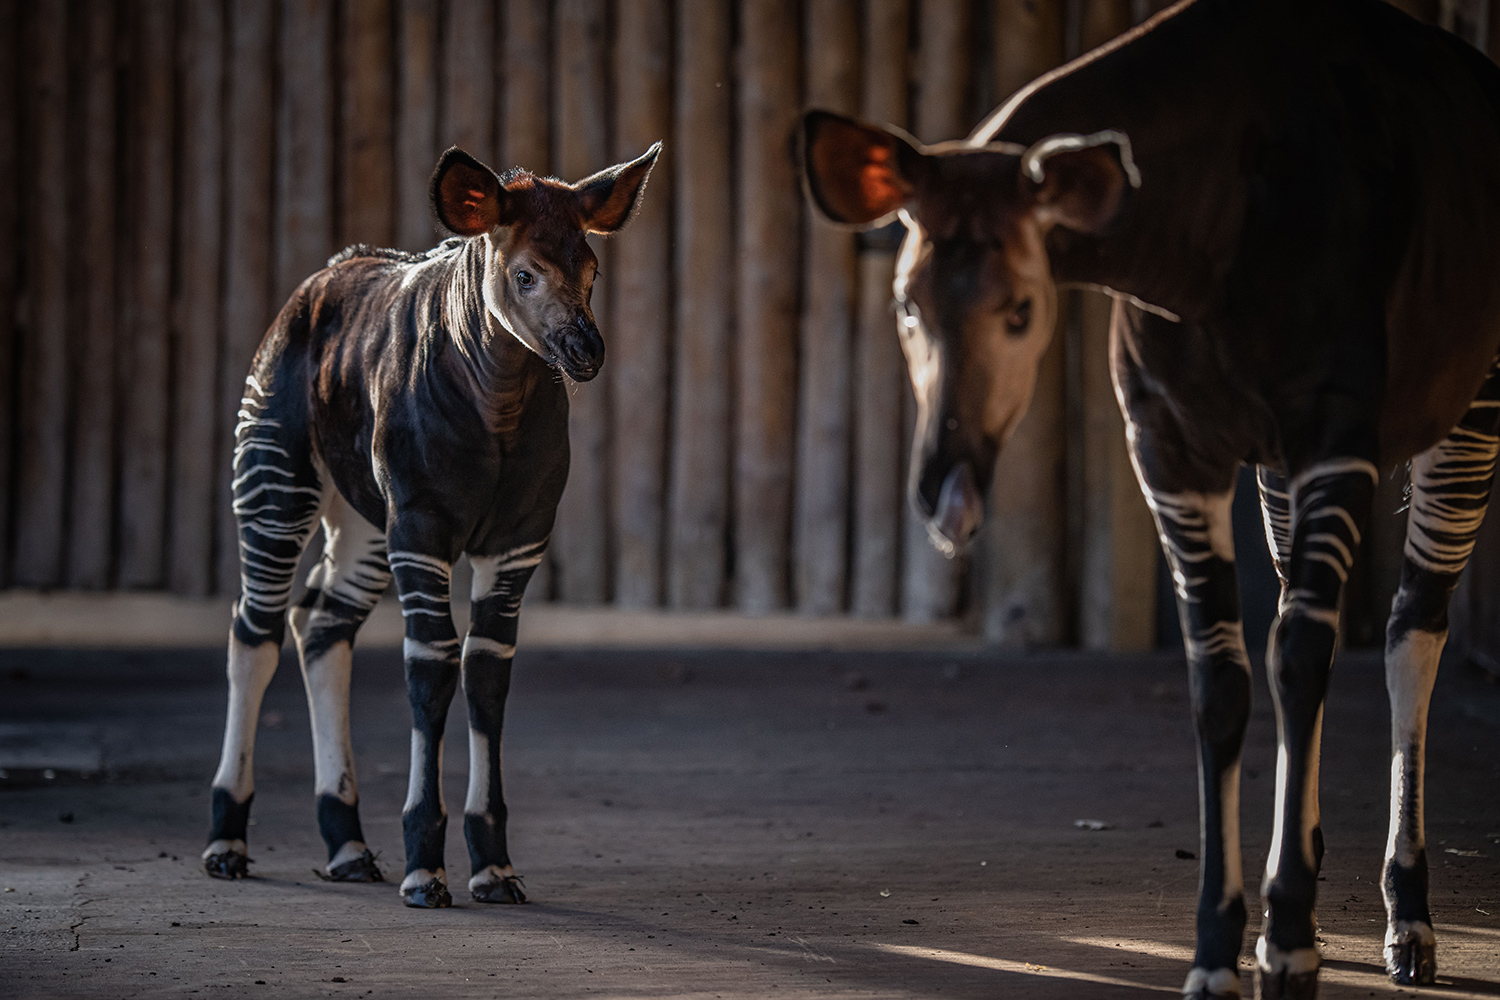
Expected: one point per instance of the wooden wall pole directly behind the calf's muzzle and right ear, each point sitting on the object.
(581, 548)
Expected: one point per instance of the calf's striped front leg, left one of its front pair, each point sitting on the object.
(433, 675)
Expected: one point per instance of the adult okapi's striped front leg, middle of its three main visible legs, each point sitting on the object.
(1330, 507)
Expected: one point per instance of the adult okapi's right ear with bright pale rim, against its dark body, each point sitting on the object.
(1079, 181)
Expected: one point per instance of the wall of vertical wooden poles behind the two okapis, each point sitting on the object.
(170, 170)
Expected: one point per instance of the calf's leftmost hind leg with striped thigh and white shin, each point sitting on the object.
(277, 503)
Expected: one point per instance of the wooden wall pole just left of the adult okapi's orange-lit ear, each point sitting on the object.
(767, 310)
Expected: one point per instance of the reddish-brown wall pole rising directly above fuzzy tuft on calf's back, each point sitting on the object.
(367, 191)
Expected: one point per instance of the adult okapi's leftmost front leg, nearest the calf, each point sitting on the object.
(1196, 537)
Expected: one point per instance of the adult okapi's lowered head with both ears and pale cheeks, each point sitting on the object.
(974, 290)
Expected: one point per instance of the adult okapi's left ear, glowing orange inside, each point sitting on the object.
(857, 173)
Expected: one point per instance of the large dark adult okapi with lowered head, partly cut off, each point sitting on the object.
(1297, 208)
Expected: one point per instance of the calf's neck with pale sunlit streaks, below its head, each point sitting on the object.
(494, 368)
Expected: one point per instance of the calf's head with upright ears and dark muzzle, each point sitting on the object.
(539, 269)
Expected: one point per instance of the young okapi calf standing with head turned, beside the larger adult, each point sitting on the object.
(412, 404)
